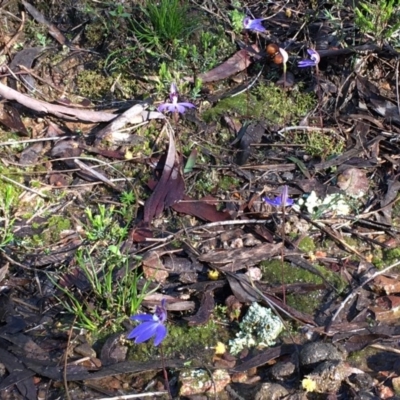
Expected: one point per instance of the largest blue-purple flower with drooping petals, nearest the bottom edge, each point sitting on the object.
(152, 325)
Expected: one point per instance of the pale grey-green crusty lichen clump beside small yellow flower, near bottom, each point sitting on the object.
(259, 328)
